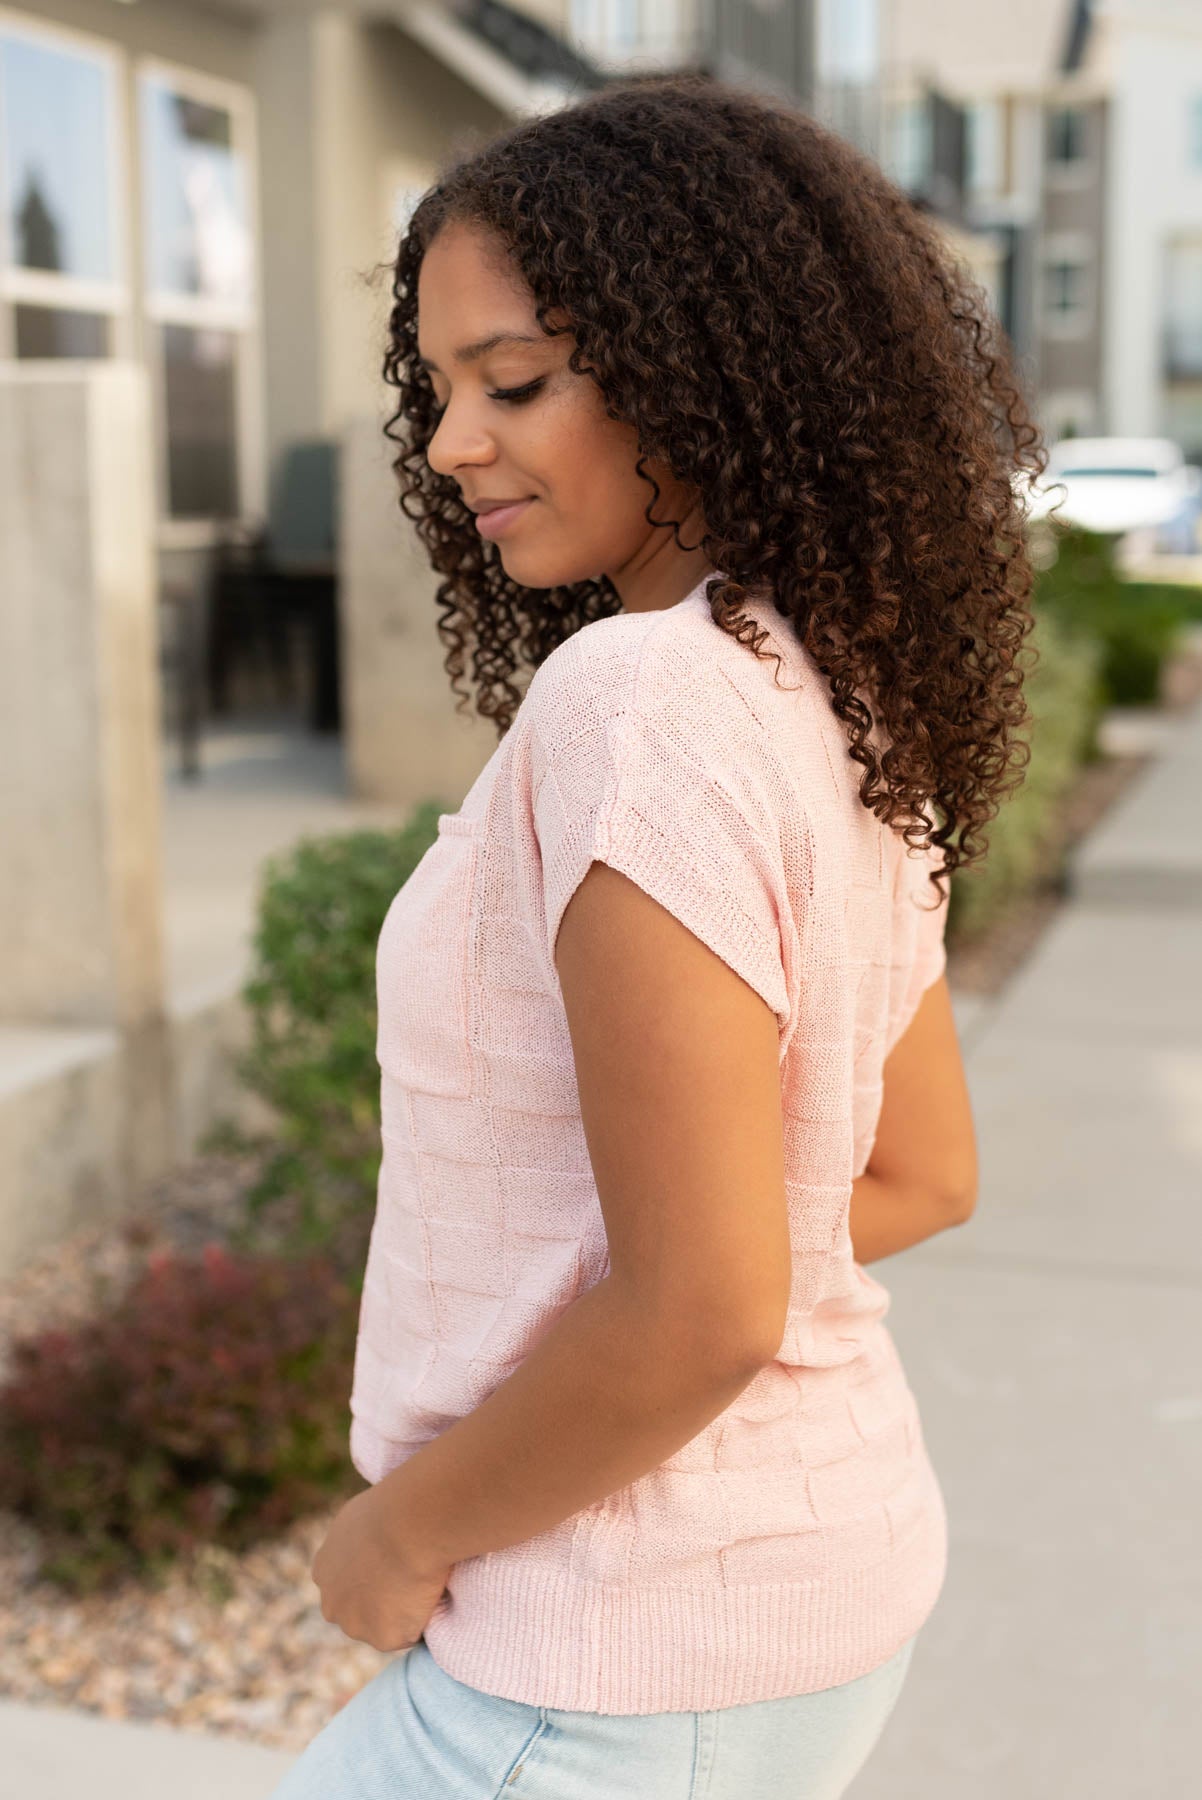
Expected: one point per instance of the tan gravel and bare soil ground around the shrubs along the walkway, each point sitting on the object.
(237, 1644)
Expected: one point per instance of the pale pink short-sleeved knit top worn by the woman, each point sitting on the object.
(800, 1540)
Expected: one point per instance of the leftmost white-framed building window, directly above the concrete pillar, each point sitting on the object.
(62, 247)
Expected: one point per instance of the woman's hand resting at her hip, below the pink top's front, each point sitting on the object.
(373, 1585)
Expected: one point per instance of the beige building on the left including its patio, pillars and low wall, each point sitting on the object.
(193, 204)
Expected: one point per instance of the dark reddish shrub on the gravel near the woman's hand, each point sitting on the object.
(208, 1407)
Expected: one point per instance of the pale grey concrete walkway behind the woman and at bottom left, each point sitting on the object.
(1054, 1349)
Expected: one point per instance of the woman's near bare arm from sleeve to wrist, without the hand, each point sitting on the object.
(681, 1102)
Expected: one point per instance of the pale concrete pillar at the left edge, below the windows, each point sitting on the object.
(80, 728)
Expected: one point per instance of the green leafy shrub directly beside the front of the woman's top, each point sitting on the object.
(312, 1054)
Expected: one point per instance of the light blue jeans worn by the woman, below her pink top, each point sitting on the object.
(417, 1734)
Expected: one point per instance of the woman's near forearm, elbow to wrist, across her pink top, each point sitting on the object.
(600, 1401)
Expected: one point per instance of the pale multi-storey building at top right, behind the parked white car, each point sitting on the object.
(1084, 163)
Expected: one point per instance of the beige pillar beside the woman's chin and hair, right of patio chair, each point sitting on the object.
(404, 739)
